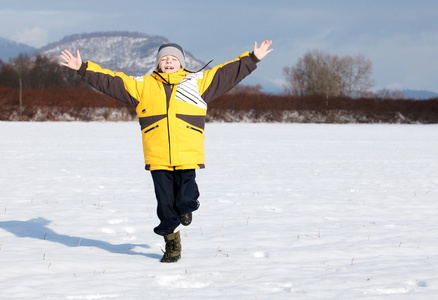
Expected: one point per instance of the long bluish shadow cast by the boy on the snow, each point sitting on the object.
(37, 229)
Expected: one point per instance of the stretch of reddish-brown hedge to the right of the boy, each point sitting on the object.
(322, 109)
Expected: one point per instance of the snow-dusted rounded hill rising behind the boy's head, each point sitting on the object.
(130, 52)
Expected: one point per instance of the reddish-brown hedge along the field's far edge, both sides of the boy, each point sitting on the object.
(249, 105)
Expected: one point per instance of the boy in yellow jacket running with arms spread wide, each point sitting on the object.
(171, 105)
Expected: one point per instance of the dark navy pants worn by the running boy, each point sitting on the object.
(177, 194)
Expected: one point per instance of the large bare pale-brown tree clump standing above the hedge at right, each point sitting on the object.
(319, 73)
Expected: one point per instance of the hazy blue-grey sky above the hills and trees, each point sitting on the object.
(400, 37)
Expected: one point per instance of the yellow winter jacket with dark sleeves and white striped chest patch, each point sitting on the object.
(171, 107)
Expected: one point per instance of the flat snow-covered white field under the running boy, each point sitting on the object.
(288, 211)
